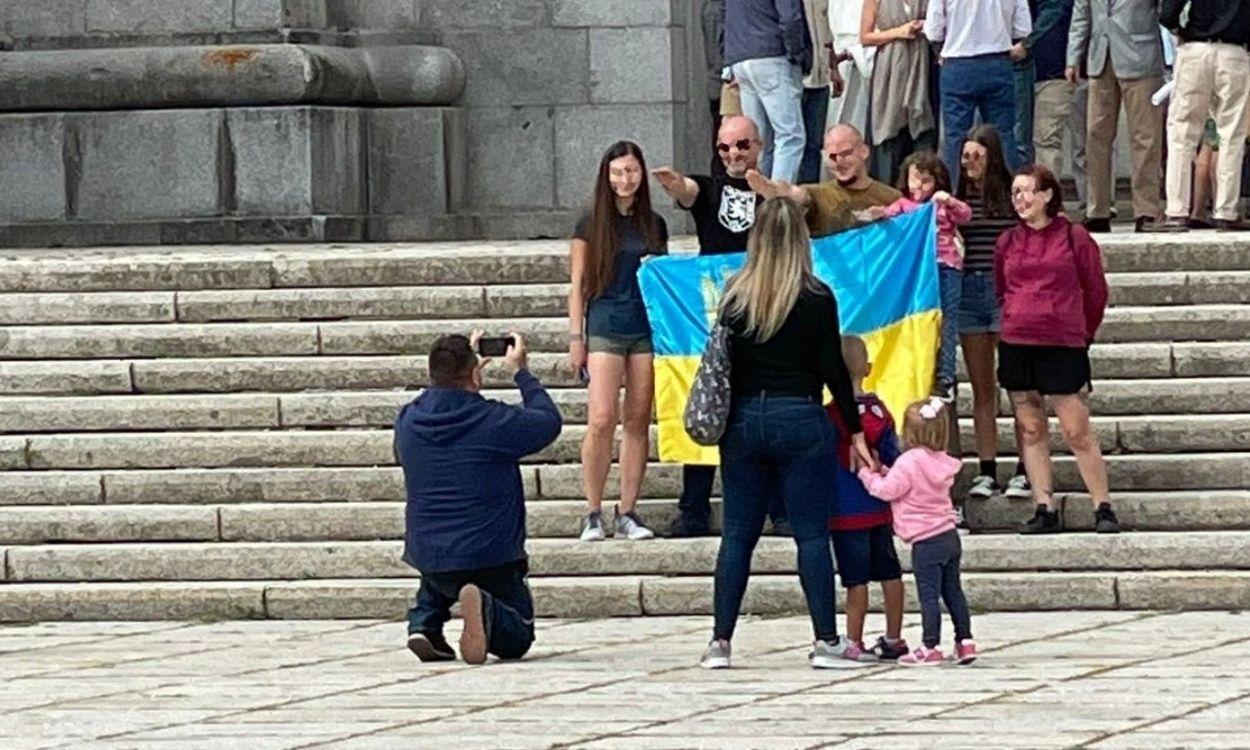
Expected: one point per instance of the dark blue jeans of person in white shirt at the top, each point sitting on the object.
(984, 84)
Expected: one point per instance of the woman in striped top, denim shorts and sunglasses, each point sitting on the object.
(986, 186)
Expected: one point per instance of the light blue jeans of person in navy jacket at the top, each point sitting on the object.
(772, 91)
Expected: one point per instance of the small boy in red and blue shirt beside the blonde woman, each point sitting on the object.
(861, 527)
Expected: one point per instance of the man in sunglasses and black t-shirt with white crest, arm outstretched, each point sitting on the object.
(724, 212)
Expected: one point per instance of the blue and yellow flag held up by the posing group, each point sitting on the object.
(884, 277)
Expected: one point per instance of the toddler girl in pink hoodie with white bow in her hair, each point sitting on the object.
(918, 489)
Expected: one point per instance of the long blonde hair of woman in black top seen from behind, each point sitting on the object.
(778, 269)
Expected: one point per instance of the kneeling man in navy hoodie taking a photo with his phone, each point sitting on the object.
(466, 514)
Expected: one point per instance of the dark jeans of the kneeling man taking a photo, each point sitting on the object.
(506, 598)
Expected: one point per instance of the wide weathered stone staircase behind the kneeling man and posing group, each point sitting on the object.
(206, 433)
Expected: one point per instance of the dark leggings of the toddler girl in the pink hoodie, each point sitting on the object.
(936, 564)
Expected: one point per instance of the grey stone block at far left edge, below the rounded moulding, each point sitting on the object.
(33, 169)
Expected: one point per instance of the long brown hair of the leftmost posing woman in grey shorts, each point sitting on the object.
(603, 242)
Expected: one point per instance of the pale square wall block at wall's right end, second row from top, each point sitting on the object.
(632, 66)
